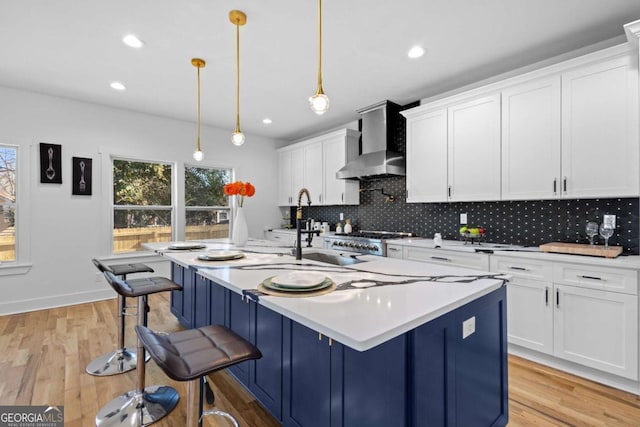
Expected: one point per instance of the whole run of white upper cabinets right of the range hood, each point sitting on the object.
(566, 131)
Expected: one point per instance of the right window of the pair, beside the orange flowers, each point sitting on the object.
(207, 207)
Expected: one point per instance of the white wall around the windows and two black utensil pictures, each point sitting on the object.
(60, 233)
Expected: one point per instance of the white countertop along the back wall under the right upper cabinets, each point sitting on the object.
(530, 252)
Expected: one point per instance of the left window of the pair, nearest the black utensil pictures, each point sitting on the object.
(142, 204)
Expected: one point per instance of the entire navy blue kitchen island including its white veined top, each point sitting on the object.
(397, 343)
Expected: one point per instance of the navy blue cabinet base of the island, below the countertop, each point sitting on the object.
(432, 375)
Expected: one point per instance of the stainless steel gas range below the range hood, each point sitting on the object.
(365, 241)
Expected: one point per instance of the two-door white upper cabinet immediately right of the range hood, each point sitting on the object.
(453, 153)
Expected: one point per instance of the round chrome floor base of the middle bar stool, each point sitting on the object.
(136, 409)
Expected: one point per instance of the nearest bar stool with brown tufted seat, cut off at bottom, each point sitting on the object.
(191, 354)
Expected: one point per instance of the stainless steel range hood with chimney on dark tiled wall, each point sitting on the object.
(378, 158)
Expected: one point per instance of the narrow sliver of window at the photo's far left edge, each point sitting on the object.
(8, 176)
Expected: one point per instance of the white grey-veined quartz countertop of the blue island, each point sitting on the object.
(383, 298)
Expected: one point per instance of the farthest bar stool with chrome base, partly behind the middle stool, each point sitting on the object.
(122, 359)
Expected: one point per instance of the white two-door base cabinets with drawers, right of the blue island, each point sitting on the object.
(574, 312)
